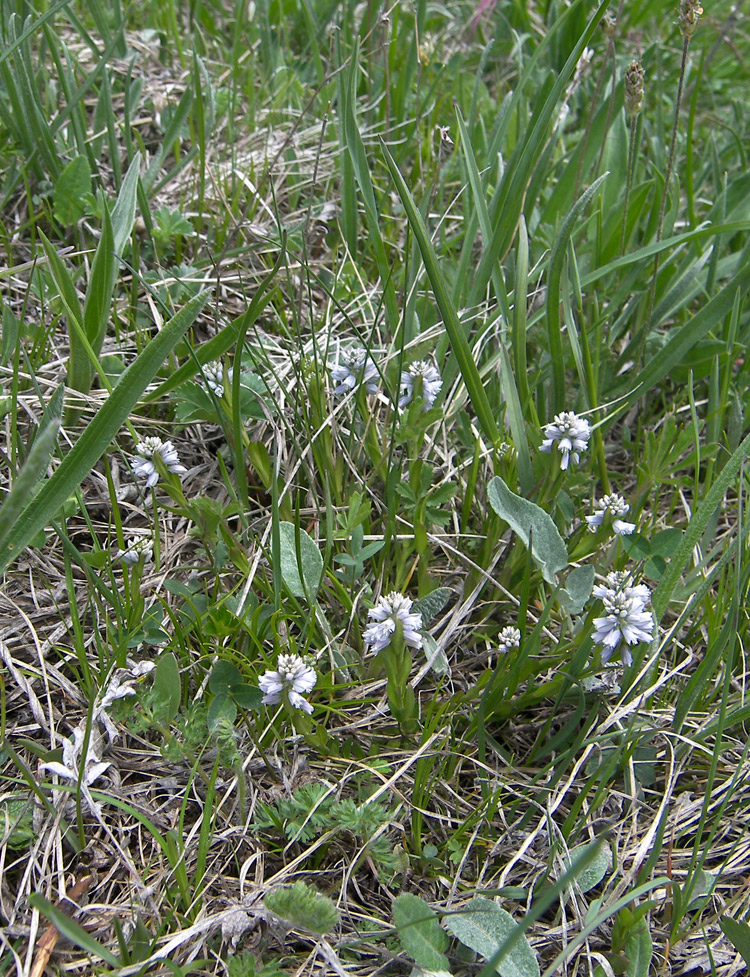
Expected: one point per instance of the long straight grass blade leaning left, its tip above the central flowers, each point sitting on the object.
(453, 327)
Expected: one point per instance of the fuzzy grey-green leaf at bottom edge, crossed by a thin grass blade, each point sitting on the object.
(483, 926)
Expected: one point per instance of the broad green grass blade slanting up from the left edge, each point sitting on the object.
(98, 435)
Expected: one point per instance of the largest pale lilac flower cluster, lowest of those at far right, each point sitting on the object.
(626, 616)
